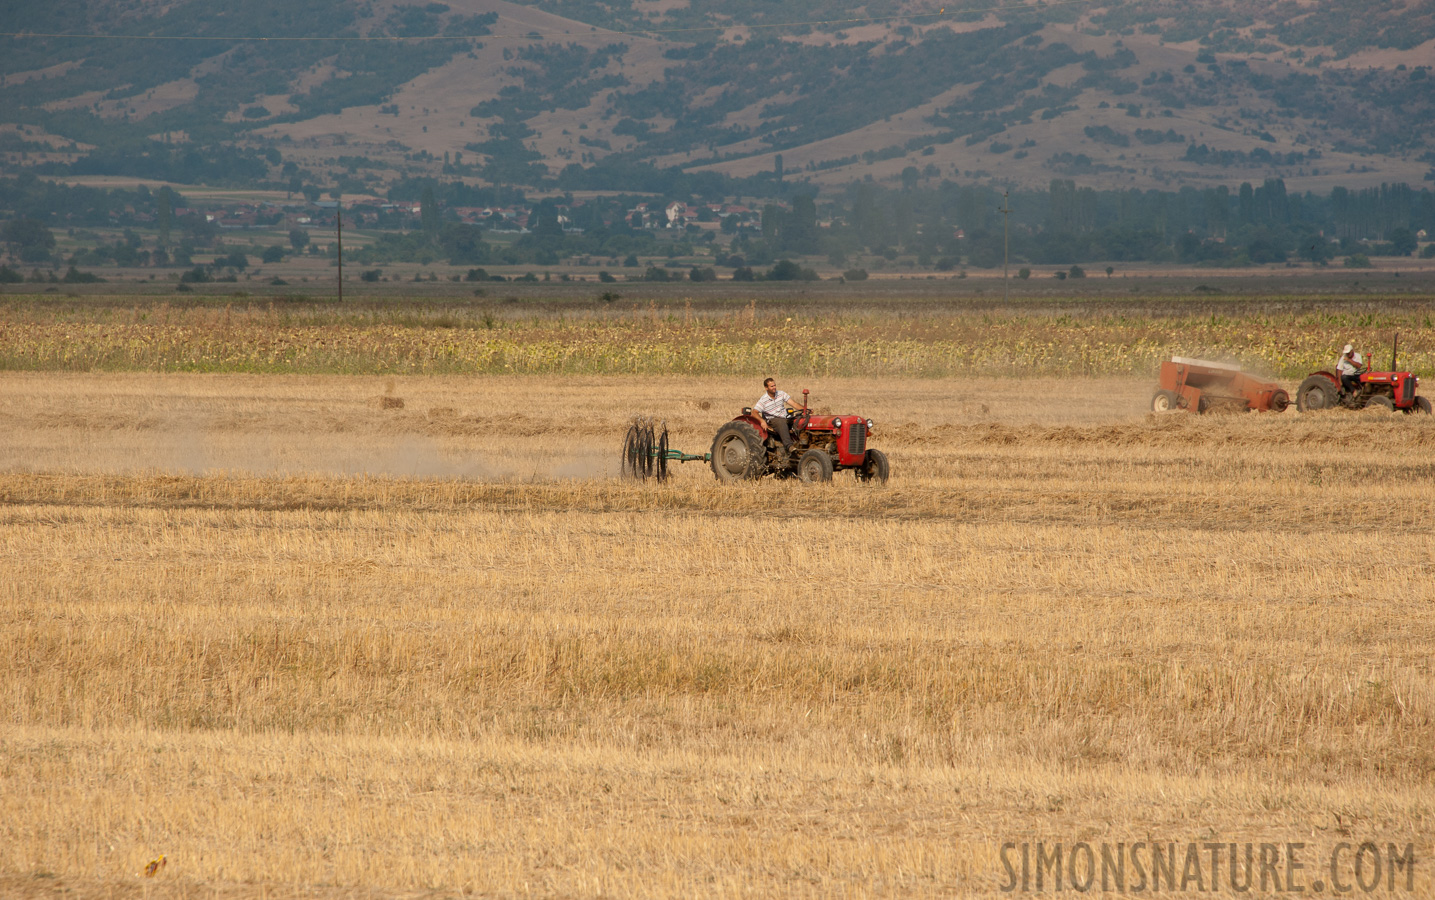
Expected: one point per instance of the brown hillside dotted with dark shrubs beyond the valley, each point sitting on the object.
(582, 95)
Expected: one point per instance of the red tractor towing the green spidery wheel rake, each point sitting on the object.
(745, 449)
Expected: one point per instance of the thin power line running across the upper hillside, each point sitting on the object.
(536, 35)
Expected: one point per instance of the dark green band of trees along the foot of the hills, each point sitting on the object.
(942, 229)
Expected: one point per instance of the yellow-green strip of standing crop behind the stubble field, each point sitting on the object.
(889, 342)
